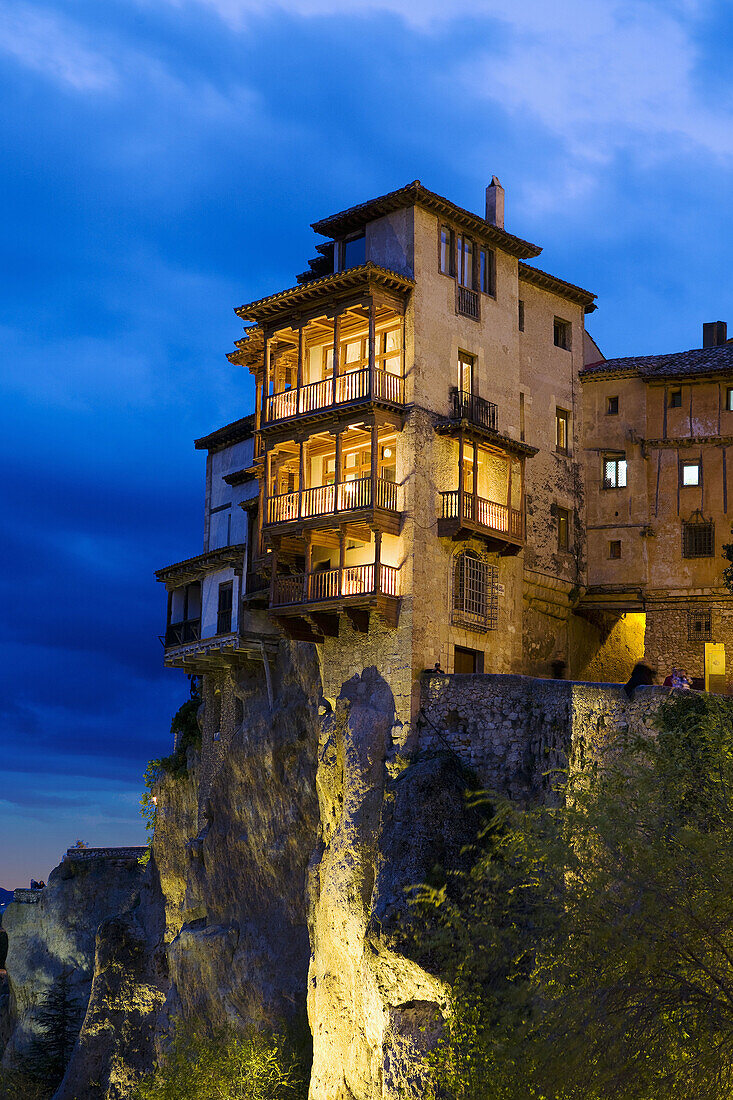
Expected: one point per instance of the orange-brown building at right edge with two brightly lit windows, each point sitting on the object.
(657, 441)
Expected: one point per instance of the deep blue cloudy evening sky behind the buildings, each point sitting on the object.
(162, 163)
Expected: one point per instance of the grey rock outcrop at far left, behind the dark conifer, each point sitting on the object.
(58, 936)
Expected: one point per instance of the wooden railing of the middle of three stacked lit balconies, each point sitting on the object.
(344, 500)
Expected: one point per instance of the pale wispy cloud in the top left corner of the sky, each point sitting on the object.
(45, 43)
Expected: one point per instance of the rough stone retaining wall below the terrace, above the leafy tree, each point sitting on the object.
(517, 732)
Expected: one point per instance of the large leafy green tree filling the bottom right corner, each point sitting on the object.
(592, 948)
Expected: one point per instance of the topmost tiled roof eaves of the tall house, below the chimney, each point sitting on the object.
(414, 194)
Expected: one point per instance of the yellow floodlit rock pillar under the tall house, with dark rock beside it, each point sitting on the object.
(374, 1010)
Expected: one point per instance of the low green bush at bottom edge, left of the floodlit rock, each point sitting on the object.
(226, 1066)
